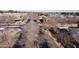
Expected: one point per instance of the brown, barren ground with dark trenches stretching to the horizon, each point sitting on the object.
(39, 29)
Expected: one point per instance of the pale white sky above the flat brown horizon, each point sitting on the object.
(30, 5)
